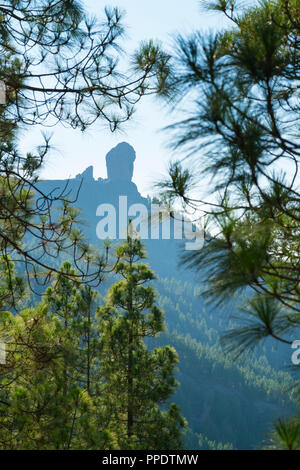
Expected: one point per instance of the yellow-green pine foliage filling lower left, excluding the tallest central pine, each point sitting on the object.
(48, 385)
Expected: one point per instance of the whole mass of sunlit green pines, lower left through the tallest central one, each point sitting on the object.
(64, 387)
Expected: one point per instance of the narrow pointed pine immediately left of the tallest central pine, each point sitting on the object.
(72, 304)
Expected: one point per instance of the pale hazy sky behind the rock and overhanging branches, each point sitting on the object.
(74, 151)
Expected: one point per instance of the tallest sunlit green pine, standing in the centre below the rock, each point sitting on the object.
(137, 382)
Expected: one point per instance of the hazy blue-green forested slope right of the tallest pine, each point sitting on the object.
(226, 401)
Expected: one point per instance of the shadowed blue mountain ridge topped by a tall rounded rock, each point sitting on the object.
(92, 195)
